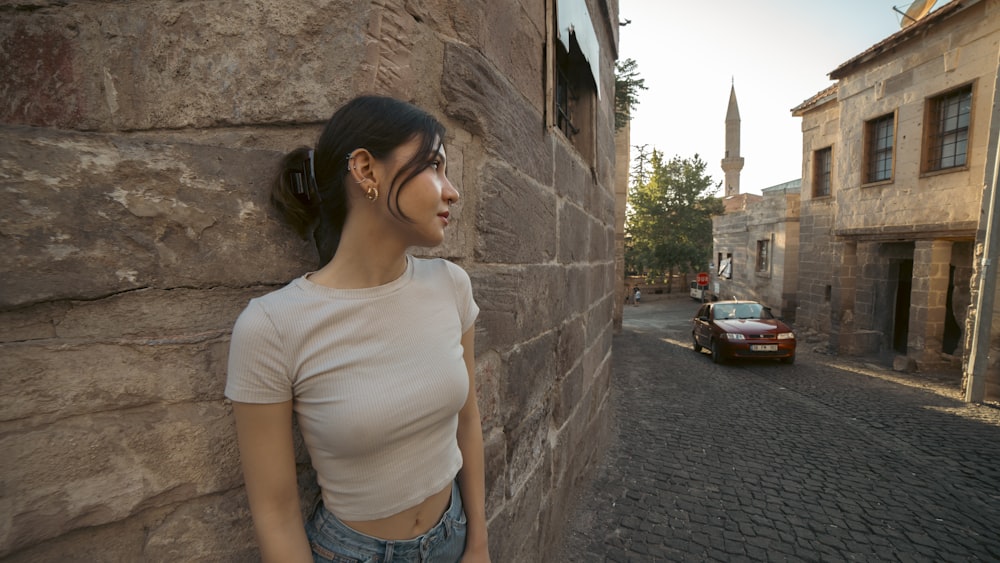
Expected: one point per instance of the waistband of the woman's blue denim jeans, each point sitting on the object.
(327, 524)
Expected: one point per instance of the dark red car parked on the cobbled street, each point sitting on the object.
(742, 329)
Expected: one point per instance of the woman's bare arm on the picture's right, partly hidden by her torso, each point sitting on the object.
(471, 479)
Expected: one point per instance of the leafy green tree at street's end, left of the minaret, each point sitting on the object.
(669, 216)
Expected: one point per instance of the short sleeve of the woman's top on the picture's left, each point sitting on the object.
(258, 370)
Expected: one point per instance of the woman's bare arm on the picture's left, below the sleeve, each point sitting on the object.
(268, 456)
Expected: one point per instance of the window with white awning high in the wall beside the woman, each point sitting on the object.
(575, 53)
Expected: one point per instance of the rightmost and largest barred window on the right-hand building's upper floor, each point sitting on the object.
(946, 134)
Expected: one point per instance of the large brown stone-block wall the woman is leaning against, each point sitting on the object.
(137, 142)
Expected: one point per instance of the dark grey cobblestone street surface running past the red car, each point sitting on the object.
(828, 459)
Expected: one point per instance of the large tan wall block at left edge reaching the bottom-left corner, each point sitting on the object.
(97, 469)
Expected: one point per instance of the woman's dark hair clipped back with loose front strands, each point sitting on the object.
(377, 123)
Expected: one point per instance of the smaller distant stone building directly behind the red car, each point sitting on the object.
(757, 250)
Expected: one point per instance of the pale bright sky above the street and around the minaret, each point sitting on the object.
(777, 53)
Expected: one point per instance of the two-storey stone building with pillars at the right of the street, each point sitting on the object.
(894, 159)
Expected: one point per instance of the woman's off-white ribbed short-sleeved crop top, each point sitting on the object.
(376, 376)
